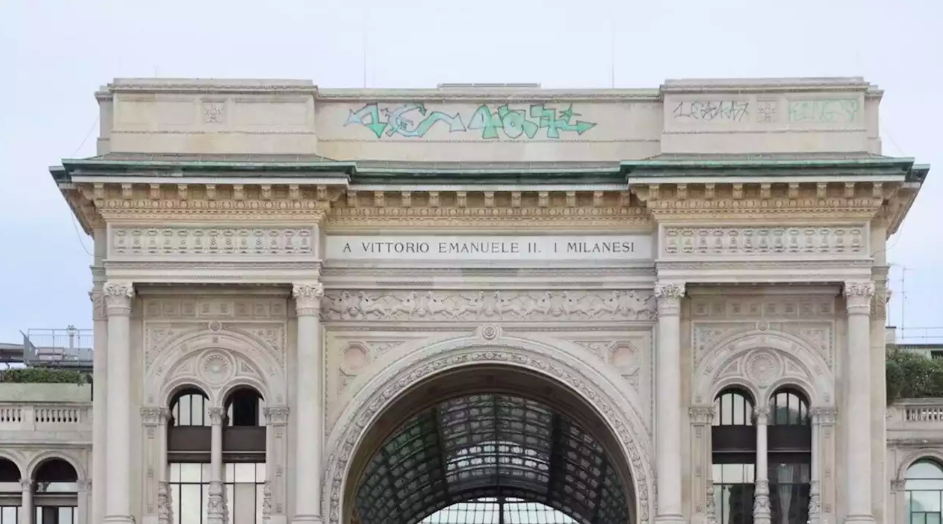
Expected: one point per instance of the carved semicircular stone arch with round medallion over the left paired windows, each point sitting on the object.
(216, 361)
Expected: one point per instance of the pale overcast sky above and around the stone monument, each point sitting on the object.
(55, 54)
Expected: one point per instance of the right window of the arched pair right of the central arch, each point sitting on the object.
(790, 456)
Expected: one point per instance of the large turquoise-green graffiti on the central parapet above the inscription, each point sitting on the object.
(413, 120)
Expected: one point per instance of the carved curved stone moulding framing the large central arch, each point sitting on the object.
(603, 392)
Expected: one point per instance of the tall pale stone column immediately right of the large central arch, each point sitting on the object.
(668, 403)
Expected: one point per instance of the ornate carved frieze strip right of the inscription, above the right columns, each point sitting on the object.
(749, 241)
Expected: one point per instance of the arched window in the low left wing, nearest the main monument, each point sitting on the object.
(56, 487)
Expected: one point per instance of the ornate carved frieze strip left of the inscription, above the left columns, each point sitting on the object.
(190, 241)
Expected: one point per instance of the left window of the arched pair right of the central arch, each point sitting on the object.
(734, 457)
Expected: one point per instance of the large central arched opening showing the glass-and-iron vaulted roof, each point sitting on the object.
(487, 440)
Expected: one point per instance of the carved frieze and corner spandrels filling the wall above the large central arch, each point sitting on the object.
(368, 330)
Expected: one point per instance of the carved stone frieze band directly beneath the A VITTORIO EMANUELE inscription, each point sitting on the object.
(491, 305)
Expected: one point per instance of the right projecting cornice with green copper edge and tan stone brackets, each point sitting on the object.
(688, 188)
